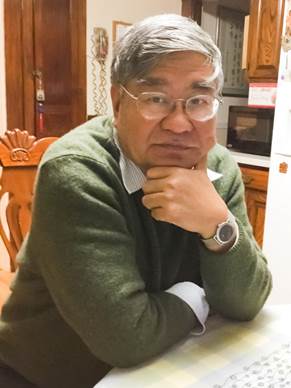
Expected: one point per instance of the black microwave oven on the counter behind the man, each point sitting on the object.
(250, 130)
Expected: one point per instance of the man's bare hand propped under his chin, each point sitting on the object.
(184, 197)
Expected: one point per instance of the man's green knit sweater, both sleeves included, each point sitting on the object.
(89, 293)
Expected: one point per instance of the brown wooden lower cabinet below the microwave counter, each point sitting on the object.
(256, 183)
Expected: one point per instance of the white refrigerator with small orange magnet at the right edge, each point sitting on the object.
(277, 233)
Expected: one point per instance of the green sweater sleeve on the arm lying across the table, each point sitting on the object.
(86, 255)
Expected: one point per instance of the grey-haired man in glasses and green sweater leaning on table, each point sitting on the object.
(139, 224)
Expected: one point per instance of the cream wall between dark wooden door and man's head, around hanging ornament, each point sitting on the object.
(101, 13)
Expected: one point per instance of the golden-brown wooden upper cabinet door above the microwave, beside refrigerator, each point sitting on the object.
(264, 42)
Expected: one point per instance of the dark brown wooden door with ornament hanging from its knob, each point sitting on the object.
(46, 38)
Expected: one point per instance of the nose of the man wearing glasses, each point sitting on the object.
(177, 120)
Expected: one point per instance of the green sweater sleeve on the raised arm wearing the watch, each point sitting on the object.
(236, 283)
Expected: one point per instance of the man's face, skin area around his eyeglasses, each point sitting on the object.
(175, 140)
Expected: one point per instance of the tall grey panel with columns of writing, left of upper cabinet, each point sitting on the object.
(230, 36)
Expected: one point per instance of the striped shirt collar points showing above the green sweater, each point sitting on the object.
(132, 176)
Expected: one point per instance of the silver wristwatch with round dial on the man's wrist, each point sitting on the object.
(224, 237)
